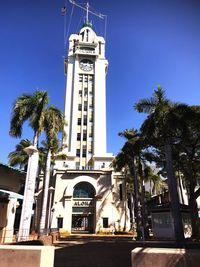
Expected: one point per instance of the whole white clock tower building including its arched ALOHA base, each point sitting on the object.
(89, 196)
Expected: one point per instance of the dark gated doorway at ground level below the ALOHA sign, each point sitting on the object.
(82, 223)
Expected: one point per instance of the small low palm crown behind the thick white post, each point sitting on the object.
(19, 157)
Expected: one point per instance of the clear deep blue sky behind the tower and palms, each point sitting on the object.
(148, 42)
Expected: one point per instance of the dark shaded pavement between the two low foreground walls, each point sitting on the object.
(97, 251)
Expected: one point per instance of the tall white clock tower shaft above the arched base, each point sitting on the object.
(85, 103)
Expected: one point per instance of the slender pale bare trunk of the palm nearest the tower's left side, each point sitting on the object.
(44, 219)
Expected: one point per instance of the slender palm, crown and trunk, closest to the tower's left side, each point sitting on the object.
(53, 123)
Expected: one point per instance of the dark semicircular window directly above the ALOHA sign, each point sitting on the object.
(83, 190)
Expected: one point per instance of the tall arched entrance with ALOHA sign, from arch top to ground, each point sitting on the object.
(83, 208)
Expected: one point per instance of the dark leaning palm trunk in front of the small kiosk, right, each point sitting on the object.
(175, 205)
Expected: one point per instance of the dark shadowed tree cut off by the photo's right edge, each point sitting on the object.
(187, 153)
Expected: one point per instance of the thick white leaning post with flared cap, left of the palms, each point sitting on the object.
(28, 201)
